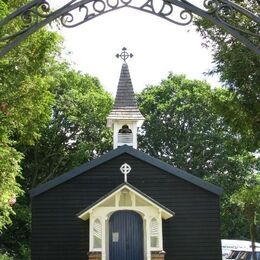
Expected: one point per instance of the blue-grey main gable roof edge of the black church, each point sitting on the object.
(135, 153)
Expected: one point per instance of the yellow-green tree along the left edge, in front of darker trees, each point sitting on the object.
(24, 103)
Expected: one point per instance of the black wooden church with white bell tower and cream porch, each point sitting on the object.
(126, 205)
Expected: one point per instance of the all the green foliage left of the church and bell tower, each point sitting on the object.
(50, 116)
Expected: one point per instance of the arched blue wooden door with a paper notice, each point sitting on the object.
(126, 236)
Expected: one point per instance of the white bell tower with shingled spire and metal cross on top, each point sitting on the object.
(125, 117)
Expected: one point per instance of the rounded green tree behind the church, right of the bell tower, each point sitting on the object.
(195, 138)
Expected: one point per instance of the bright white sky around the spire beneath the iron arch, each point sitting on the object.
(158, 46)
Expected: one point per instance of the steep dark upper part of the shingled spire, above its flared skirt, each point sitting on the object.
(125, 94)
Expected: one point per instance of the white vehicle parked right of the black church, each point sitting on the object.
(237, 246)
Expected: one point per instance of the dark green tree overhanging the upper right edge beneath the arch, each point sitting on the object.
(239, 71)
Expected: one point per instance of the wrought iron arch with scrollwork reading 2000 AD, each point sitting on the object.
(222, 13)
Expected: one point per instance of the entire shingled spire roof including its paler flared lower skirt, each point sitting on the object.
(125, 106)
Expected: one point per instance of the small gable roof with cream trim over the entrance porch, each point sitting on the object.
(166, 213)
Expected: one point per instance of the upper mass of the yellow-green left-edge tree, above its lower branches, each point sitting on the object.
(24, 82)
